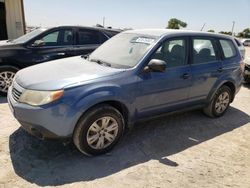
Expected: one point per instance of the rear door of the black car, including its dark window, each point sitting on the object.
(87, 41)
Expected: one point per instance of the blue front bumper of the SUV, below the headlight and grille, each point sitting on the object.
(51, 121)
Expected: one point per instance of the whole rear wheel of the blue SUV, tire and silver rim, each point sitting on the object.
(220, 102)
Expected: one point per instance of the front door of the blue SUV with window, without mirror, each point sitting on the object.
(169, 90)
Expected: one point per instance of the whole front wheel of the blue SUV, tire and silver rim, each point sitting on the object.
(98, 130)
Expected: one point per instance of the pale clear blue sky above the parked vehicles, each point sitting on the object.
(137, 14)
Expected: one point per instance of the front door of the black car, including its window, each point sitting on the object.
(52, 45)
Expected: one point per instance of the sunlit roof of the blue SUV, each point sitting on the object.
(177, 32)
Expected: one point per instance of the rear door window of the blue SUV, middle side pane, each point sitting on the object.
(203, 51)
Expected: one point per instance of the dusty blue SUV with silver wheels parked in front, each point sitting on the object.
(133, 76)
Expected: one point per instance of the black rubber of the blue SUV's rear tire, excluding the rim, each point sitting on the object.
(210, 110)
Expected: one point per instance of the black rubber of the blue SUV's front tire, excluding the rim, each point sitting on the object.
(83, 125)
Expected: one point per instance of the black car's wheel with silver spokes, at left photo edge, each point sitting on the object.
(7, 74)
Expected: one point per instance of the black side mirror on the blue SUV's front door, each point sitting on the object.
(156, 65)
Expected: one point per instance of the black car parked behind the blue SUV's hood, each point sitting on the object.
(44, 45)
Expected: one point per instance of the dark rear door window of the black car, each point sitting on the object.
(88, 37)
